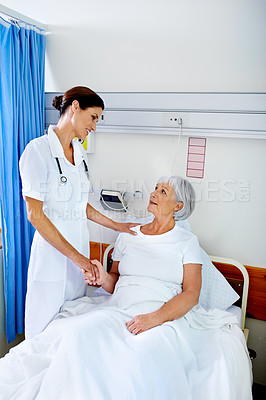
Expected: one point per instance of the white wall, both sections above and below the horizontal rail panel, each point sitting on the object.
(177, 45)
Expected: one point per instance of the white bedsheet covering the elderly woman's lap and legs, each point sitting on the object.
(91, 354)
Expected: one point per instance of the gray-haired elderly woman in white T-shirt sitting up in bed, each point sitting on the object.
(160, 250)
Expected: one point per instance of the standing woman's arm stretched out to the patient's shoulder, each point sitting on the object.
(96, 216)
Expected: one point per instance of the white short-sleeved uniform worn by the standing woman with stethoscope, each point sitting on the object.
(52, 277)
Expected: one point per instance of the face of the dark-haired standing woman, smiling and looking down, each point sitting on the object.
(84, 121)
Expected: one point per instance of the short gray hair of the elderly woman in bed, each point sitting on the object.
(184, 192)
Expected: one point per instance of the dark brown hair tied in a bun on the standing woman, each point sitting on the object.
(85, 96)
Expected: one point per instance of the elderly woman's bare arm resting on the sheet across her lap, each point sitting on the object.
(175, 308)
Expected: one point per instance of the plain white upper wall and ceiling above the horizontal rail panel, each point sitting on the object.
(150, 45)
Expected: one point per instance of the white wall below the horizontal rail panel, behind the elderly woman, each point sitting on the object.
(229, 217)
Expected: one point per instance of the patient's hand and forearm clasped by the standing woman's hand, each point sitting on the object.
(105, 279)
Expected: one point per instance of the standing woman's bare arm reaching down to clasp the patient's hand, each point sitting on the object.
(51, 234)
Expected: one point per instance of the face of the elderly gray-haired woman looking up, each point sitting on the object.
(163, 201)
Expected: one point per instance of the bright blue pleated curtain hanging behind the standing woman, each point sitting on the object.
(22, 59)
